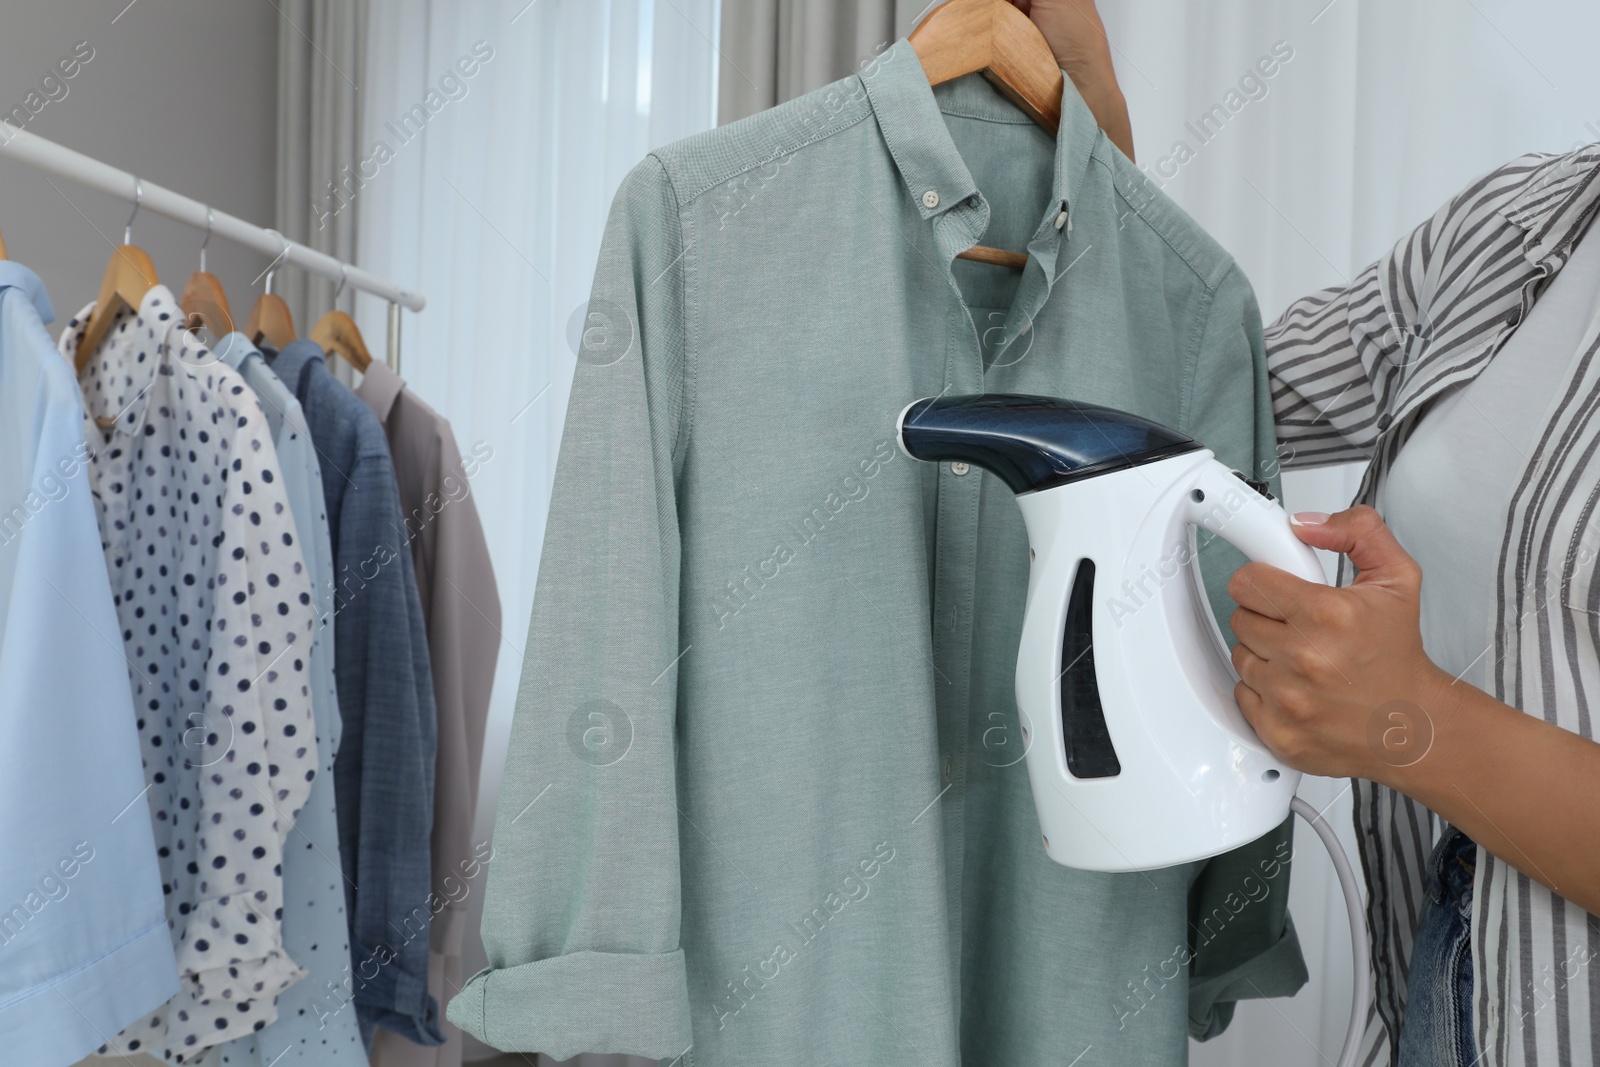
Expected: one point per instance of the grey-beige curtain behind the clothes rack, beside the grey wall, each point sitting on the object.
(321, 68)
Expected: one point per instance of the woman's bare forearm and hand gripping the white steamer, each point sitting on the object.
(1337, 682)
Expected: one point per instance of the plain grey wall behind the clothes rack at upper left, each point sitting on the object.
(178, 92)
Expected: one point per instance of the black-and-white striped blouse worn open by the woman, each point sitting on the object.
(1353, 370)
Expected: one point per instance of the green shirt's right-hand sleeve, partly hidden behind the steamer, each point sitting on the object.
(1242, 941)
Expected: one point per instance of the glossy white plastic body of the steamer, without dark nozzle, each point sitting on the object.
(1194, 780)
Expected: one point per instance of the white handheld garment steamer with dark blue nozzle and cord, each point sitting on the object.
(1137, 751)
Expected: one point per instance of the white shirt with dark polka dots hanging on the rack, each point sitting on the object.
(217, 623)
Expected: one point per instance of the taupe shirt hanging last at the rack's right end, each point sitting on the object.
(462, 610)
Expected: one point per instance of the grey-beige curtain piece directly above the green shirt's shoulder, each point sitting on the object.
(775, 50)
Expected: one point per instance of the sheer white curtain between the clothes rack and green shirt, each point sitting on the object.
(490, 201)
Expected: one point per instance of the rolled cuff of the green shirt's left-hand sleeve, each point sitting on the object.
(583, 1002)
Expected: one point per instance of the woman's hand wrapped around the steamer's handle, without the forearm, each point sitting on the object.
(1335, 679)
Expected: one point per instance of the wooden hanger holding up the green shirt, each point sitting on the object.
(996, 39)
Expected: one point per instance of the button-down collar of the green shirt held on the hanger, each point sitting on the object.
(924, 151)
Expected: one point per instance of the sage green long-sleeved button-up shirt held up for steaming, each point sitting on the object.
(766, 801)
